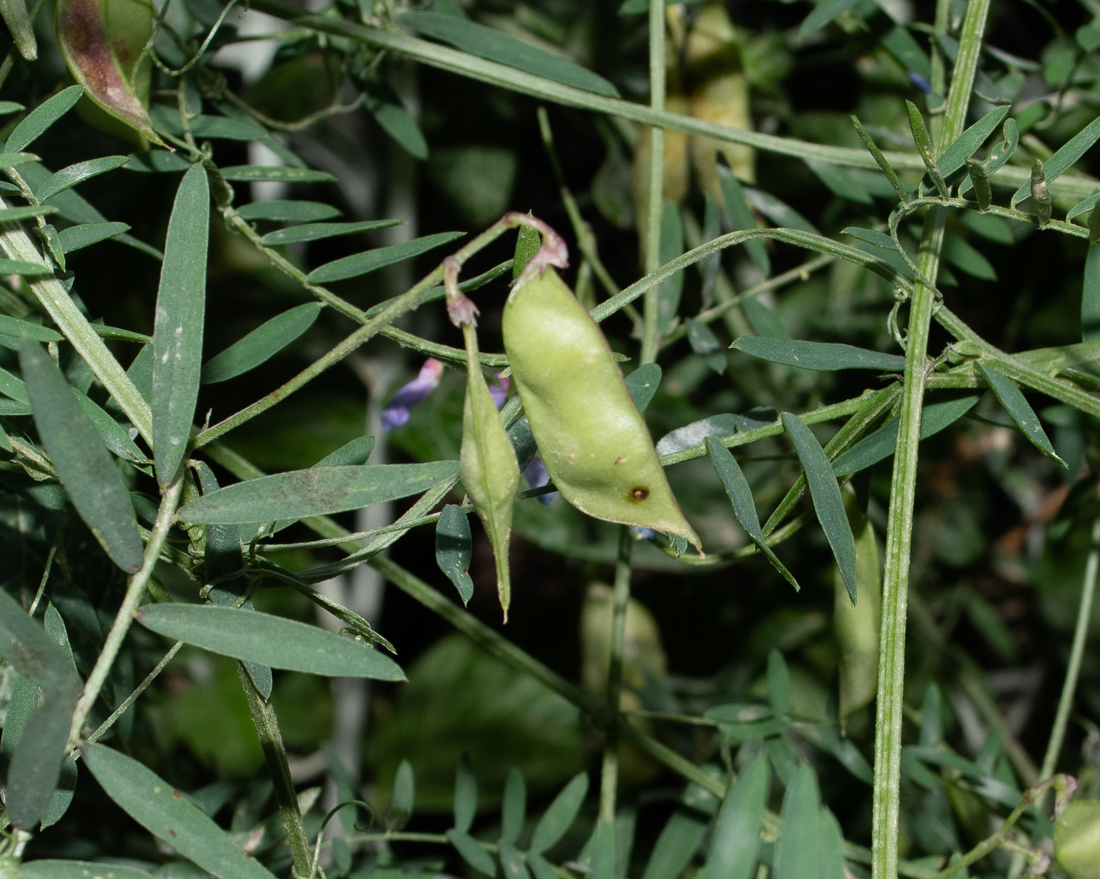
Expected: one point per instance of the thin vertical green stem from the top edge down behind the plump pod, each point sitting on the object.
(656, 177)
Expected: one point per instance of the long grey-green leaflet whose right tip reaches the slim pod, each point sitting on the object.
(315, 492)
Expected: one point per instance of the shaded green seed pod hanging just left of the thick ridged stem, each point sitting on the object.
(856, 629)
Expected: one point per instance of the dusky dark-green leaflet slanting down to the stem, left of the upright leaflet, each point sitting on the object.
(85, 468)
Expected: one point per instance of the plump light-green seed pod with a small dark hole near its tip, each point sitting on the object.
(591, 435)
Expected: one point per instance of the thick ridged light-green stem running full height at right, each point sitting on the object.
(888, 733)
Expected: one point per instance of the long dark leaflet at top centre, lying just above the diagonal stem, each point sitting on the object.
(497, 47)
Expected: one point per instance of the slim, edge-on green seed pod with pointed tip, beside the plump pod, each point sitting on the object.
(490, 473)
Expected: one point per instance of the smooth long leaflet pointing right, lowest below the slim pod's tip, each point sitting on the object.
(269, 641)
